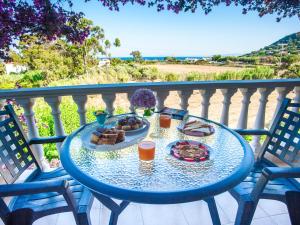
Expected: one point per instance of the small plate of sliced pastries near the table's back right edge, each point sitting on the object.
(196, 128)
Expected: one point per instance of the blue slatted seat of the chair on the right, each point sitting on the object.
(275, 189)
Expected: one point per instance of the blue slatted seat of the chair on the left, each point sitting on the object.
(52, 201)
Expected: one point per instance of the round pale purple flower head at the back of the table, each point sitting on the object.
(145, 99)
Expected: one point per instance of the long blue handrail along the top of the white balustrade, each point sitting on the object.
(126, 87)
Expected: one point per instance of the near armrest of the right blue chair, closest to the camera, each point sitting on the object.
(278, 172)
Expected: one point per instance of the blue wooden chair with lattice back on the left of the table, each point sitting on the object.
(42, 193)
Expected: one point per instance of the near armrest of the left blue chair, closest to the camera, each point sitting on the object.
(35, 187)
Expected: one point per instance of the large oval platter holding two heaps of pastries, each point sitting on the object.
(118, 132)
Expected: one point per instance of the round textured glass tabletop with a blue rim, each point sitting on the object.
(122, 169)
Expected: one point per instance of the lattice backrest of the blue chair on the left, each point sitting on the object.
(15, 153)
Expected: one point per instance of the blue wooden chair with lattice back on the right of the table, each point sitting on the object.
(276, 166)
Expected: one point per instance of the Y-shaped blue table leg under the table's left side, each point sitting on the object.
(116, 209)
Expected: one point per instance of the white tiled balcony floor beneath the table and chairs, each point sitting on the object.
(195, 213)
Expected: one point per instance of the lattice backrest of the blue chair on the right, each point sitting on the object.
(284, 142)
